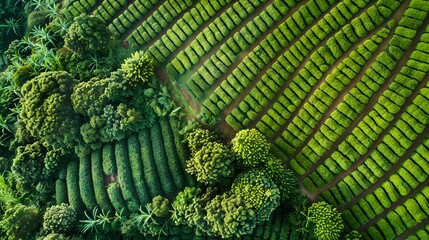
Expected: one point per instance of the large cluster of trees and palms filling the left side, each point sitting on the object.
(66, 94)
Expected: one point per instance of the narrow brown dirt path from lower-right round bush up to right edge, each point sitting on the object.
(418, 141)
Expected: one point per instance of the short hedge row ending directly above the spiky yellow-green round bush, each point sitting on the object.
(158, 21)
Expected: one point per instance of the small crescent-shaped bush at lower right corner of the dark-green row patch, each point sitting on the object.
(181, 204)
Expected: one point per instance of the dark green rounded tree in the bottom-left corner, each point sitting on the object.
(21, 222)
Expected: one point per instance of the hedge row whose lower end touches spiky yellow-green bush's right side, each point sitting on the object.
(184, 28)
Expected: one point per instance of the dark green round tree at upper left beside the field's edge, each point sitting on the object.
(88, 35)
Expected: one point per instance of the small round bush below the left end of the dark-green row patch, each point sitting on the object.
(59, 218)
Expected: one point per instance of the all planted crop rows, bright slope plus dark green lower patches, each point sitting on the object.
(340, 88)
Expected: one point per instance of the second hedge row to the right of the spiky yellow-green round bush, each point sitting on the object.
(210, 37)
